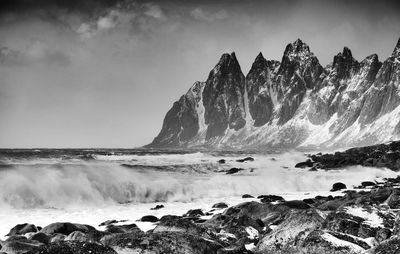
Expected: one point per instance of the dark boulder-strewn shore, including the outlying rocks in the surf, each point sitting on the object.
(351, 219)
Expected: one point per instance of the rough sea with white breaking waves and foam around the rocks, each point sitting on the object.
(90, 186)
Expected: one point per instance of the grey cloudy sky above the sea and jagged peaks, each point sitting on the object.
(103, 73)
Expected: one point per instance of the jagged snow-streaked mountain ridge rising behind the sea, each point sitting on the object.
(292, 103)
